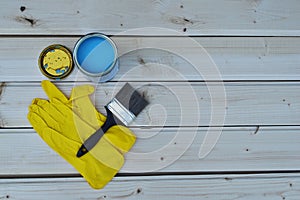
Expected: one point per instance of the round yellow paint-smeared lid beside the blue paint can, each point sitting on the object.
(56, 62)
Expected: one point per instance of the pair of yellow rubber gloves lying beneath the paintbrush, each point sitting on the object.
(59, 123)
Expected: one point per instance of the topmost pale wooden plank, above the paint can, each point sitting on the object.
(206, 17)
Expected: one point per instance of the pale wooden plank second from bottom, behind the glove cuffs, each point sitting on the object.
(238, 149)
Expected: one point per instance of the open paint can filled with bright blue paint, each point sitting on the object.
(96, 56)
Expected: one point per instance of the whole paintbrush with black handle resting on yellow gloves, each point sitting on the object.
(121, 110)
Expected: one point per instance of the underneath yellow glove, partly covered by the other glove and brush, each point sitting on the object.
(119, 136)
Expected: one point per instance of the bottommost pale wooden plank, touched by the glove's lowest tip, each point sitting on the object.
(242, 187)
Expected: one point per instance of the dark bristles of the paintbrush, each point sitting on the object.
(131, 99)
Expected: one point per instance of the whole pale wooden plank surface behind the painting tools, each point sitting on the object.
(259, 145)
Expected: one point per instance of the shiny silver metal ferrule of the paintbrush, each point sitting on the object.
(119, 111)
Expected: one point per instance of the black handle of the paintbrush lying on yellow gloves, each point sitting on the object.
(94, 139)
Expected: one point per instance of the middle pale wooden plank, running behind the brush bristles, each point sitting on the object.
(175, 104)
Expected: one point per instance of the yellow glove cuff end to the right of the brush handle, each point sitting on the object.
(120, 137)
